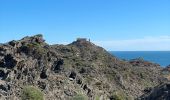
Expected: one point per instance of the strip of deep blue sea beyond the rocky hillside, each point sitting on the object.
(160, 57)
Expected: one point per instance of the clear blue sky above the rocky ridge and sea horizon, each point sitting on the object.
(116, 25)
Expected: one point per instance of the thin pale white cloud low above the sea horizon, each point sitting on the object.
(161, 43)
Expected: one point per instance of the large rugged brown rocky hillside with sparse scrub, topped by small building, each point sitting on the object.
(63, 72)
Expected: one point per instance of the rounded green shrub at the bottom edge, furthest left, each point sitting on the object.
(31, 93)
